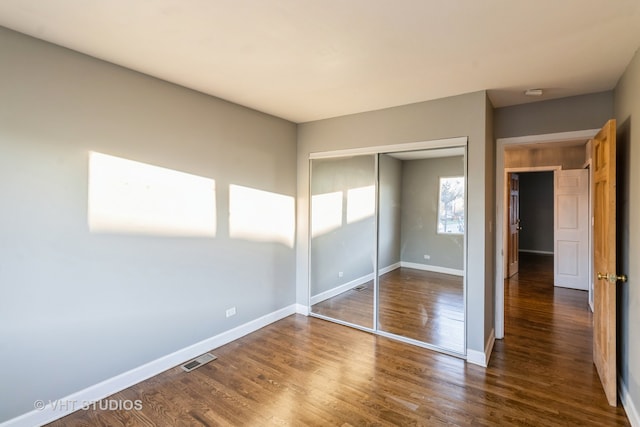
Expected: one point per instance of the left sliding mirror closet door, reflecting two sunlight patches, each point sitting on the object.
(343, 239)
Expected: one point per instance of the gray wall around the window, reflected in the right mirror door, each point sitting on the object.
(420, 192)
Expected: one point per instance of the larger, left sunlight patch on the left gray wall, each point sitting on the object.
(131, 197)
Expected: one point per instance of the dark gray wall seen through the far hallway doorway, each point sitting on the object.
(536, 211)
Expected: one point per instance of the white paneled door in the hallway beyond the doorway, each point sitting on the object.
(571, 228)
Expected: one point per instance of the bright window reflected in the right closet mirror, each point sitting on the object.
(451, 205)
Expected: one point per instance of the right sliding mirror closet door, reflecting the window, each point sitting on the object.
(421, 247)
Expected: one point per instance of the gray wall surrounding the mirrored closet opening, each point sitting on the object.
(464, 115)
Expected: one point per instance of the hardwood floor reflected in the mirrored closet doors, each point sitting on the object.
(417, 304)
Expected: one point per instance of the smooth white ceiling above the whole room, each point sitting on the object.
(305, 60)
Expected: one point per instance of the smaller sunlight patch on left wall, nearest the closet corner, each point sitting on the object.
(261, 216)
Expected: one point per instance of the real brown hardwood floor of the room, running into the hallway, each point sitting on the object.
(306, 371)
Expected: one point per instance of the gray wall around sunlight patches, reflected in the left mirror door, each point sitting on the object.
(350, 248)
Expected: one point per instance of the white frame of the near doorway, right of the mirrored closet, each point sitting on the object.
(501, 144)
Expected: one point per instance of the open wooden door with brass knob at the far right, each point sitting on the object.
(604, 258)
